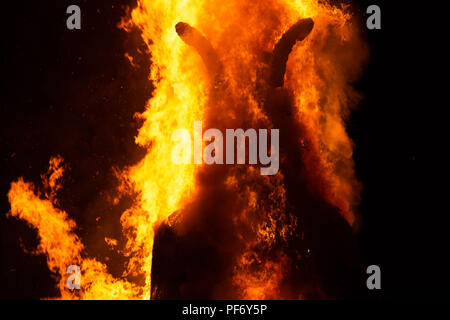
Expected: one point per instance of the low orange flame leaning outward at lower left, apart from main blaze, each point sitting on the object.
(58, 241)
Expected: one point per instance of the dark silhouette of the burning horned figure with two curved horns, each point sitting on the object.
(171, 247)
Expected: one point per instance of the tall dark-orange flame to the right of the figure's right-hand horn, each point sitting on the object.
(319, 73)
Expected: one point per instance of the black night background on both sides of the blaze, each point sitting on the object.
(73, 93)
